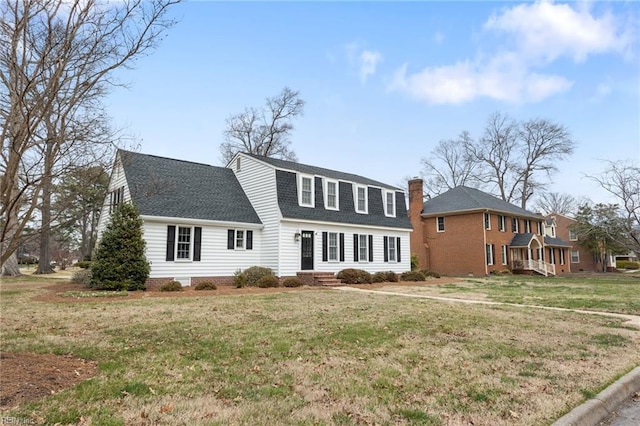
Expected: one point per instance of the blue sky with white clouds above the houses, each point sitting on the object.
(384, 82)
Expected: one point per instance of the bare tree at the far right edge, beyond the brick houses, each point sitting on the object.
(622, 180)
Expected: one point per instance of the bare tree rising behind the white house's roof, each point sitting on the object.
(264, 131)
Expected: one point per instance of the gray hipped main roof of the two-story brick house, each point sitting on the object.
(462, 198)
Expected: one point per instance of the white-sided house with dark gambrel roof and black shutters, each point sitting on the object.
(203, 222)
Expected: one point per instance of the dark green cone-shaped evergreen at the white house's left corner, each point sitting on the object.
(119, 261)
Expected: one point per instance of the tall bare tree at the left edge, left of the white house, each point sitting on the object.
(57, 59)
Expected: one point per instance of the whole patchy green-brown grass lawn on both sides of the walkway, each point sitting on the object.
(322, 357)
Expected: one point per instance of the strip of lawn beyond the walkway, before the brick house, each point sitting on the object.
(619, 293)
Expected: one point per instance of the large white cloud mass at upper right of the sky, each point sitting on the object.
(535, 35)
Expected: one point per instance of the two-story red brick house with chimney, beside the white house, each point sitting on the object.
(466, 231)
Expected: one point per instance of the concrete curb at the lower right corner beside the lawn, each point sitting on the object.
(597, 409)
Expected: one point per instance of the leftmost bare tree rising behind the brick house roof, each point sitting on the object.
(449, 166)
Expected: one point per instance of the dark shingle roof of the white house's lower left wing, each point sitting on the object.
(173, 188)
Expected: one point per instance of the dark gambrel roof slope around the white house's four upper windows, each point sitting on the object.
(288, 201)
